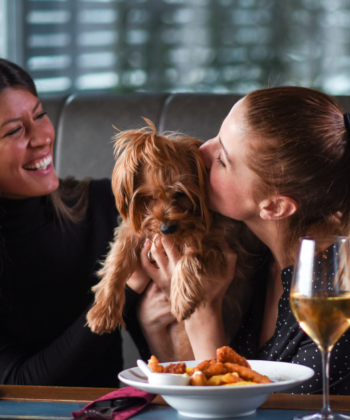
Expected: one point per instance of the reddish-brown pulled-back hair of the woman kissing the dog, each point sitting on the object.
(302, 151)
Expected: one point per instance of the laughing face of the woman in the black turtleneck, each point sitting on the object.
(26, 146)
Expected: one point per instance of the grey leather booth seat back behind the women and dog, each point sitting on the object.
(85, 124)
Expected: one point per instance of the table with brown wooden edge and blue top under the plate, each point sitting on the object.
(76, 398)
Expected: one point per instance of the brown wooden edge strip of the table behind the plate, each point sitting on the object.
(85, 395)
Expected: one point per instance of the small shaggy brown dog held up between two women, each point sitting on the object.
(159, 186)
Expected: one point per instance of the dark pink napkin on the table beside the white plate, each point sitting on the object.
(126, 392)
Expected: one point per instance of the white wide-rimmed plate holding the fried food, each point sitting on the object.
(222, 401)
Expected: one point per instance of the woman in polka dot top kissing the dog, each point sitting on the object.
(280, 164)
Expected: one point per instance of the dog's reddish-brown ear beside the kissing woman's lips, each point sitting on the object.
(200, 170)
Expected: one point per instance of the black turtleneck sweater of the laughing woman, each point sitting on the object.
(46, 274)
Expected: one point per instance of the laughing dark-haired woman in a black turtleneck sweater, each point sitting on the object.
(53, 235)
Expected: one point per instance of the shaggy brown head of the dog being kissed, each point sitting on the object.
(158, 183)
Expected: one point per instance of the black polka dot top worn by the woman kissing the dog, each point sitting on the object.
(289, 343)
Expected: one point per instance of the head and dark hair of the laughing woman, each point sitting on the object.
(26, 148)
